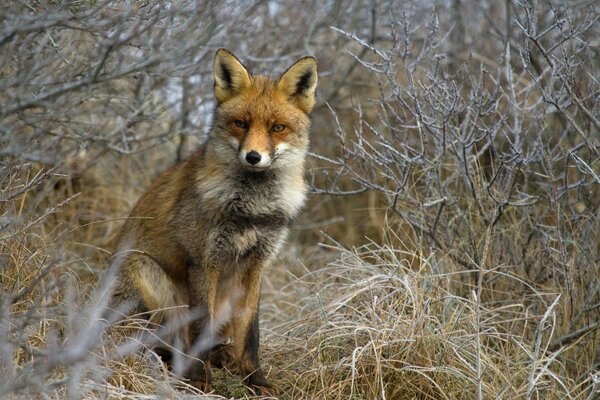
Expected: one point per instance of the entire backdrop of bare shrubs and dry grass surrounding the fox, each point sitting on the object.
(450, 248)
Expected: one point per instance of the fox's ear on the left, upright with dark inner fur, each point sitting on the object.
(230, 75)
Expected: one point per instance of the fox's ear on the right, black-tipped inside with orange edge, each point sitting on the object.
(299, 83)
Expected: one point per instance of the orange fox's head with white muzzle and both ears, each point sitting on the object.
(263, 120)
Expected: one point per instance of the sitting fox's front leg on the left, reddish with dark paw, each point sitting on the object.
(203, 283)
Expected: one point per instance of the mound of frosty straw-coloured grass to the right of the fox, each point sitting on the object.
(368, 325)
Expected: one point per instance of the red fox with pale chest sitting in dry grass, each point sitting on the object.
(197, 242)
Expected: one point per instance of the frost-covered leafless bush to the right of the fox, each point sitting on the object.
(491, 158)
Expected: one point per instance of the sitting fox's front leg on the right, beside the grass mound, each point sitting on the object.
(246, 332)
